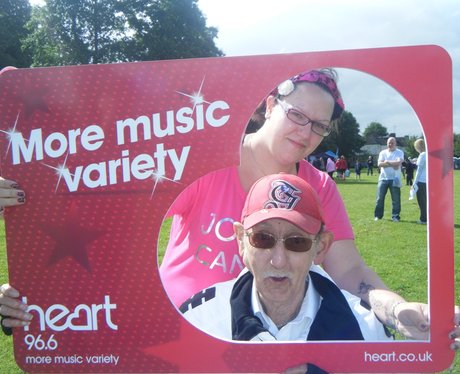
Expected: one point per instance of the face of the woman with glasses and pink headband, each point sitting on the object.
(288, 141)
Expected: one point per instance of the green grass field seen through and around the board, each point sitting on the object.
(396, 251)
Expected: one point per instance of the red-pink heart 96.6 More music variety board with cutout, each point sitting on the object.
(83, 249)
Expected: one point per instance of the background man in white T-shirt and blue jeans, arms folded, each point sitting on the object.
(390, 161)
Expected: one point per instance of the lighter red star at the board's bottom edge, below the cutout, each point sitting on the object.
(193, 351)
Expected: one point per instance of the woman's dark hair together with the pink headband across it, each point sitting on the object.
(324, 78)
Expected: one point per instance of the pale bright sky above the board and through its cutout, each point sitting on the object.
(257, 27)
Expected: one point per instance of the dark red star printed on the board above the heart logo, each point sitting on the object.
(71, 239)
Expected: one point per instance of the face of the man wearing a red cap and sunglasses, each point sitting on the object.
(279, 274)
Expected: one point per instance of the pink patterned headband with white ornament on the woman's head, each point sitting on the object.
(316, 77)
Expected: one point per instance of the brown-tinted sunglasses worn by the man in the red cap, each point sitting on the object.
(265, 240)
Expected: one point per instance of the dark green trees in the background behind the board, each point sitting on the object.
(73, 32)
